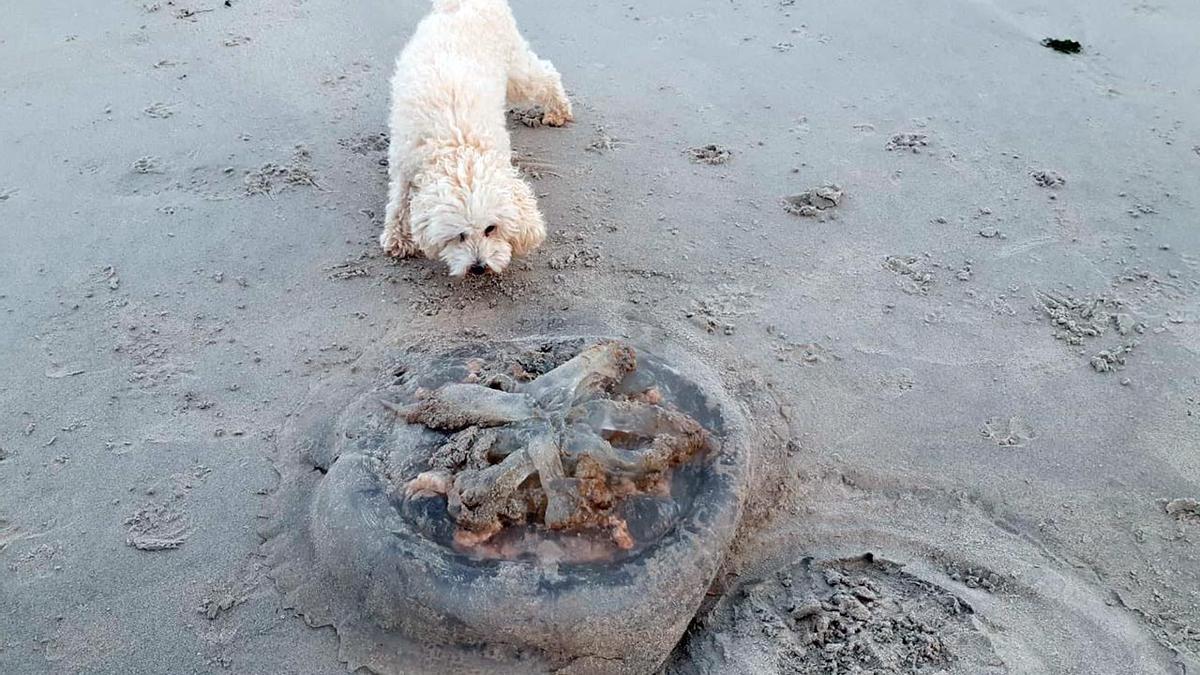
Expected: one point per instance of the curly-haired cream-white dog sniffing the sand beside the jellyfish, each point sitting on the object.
(454, 194)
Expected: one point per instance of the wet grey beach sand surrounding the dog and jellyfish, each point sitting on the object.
(985, 354)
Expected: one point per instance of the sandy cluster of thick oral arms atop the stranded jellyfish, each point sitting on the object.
(563, 452)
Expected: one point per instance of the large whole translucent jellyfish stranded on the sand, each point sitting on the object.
(573, 522)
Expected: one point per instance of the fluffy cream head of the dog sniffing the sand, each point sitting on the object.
(475, 213)
